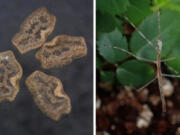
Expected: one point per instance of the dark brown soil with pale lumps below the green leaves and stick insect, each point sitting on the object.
(124, 111)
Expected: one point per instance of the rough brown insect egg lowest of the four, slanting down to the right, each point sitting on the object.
(48, 94)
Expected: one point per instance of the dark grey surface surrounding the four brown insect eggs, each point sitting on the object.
(23, 117)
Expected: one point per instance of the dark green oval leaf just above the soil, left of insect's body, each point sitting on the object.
(134, 73)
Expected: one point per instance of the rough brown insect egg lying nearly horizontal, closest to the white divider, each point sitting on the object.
(62, 50)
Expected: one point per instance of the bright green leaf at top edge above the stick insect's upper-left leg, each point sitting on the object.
(138, 10)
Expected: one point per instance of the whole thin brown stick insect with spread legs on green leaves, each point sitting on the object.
(158, 47)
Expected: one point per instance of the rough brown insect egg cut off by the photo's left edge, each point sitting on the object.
(10, 75)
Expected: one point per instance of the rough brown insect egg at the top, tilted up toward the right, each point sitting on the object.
(34, 30)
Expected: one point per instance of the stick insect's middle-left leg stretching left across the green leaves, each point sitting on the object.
(131, 54)
